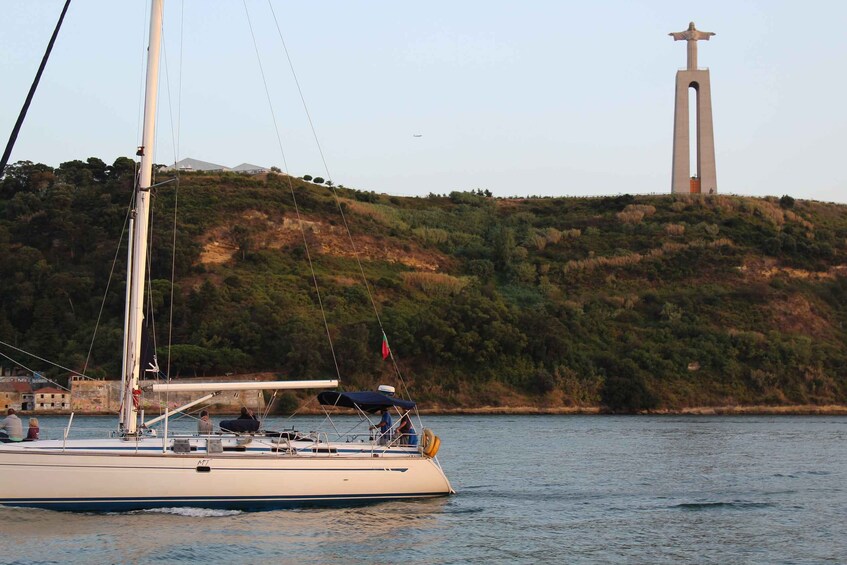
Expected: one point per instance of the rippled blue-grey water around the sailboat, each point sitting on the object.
(531, 489)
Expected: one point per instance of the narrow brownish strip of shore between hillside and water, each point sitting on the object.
(751, 410)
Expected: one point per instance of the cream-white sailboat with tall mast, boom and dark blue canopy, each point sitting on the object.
(140, 468)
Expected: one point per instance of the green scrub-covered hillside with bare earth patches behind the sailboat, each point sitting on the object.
(629, 303)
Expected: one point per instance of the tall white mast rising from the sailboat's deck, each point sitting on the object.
(138, 244)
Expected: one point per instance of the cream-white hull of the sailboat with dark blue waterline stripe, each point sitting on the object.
(106, 475)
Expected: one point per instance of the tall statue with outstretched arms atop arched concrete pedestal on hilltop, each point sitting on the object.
(704, 179)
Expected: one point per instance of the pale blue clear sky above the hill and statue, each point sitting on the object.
(547, 98)
